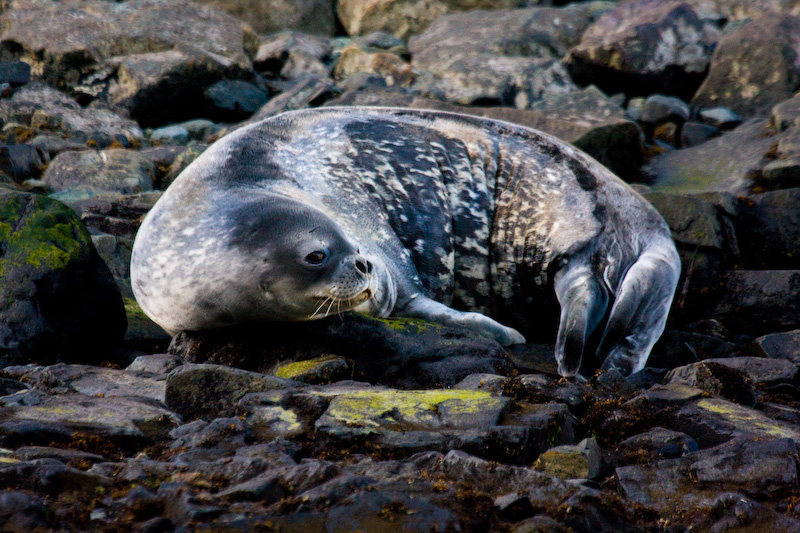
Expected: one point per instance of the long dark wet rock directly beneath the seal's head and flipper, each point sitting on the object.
(404, 353)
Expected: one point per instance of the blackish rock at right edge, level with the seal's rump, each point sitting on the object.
(769, 230)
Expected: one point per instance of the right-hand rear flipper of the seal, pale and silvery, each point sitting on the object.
(639, 314)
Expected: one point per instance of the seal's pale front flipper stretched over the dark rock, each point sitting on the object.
(425, 308)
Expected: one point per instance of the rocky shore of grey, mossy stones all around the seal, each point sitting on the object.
(352, 423)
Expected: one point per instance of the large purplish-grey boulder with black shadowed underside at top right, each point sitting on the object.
(643, 47)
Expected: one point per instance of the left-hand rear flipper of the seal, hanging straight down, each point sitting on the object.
(583, 301)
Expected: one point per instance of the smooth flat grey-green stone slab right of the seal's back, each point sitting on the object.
(729, 163)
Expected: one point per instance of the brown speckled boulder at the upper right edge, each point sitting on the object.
(753, 67)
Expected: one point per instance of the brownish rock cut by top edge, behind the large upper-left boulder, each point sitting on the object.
(312, 16)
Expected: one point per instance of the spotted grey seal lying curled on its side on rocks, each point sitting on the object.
(412, 213)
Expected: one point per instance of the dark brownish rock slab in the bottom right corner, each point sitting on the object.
(760, 469)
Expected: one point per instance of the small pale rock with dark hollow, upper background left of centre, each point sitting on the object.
(282, 54)
